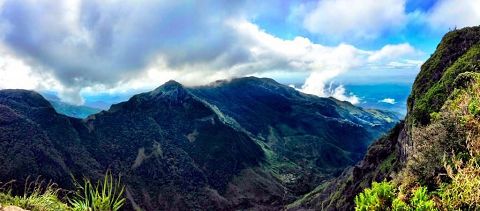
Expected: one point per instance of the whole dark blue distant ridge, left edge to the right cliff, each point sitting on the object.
(240, 144)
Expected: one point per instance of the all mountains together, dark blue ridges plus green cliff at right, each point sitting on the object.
(254, 144)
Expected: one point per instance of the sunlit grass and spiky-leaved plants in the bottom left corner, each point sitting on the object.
(104, 195)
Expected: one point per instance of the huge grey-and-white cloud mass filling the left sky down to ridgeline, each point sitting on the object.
(88, 46)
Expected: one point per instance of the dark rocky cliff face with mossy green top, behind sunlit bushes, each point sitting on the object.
(458, 52)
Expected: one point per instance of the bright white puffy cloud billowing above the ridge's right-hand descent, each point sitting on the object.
(345, 58)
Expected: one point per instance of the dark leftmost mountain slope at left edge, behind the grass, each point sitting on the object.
(39, 141)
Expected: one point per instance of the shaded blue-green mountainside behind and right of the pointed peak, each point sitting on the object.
(308, 137)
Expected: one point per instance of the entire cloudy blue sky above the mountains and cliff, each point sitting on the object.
(85, 48)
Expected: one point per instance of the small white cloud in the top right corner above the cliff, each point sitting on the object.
(454, 13)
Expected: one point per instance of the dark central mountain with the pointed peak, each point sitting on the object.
(170, 141)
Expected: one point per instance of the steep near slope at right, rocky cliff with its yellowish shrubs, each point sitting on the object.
(441, 126)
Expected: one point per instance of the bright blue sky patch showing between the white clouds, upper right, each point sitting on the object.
(285, 26)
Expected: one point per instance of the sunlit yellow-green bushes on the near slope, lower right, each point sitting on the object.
(443, 171)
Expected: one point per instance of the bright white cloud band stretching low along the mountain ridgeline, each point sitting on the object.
(267, 53)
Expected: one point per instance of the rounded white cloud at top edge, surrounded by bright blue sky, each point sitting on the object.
(357, 18)
